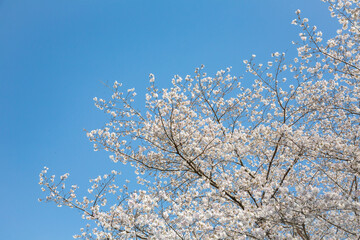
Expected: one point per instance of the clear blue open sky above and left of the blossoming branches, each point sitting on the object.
(55, 54)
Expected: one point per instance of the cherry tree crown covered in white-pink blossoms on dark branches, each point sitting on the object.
(217, 160)
